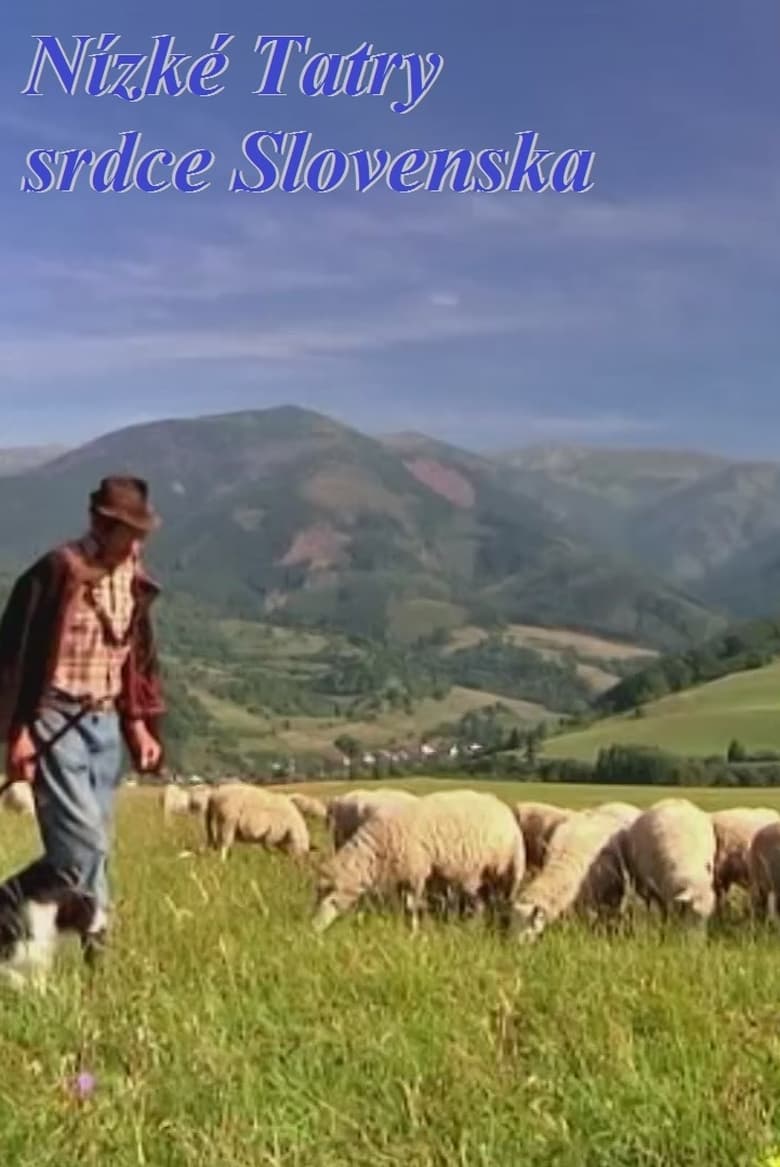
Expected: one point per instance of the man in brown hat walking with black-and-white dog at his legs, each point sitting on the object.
(79, 674)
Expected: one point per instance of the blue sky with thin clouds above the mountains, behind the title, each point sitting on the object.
(644, 312)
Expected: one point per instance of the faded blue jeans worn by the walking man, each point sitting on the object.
(76, 782)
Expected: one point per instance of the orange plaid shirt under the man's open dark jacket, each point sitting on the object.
(89, 666)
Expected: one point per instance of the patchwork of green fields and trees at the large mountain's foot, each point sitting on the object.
(246, 691)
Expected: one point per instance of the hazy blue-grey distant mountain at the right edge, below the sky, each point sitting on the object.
(705, 523)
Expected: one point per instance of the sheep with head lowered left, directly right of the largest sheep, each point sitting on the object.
(583, 872)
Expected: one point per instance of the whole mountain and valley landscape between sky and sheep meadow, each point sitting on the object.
(321, 583)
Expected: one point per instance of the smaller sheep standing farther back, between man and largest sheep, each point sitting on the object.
(246, 814)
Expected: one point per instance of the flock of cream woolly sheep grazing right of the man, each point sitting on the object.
(527, 865)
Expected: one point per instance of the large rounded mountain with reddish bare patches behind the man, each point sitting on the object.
(288, 514)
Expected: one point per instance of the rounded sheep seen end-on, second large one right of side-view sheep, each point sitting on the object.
(670, 851)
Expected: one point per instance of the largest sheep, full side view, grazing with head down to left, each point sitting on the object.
(466, 842)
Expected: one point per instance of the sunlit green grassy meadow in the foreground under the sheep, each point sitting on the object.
(221, 1033)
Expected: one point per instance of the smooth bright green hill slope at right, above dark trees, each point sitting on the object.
(699, 722)
